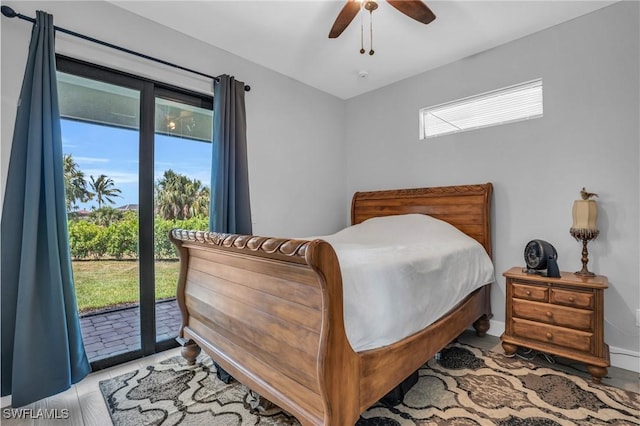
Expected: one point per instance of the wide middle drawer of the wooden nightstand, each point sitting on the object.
(552, 314)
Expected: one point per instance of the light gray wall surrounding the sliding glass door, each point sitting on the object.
(294, 131)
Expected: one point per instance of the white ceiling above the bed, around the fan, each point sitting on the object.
(290, 37)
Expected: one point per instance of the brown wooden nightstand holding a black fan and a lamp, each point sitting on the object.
(561, 316)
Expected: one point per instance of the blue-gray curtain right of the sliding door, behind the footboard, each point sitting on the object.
(230, 210)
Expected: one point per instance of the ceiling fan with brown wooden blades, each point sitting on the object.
(415, 9)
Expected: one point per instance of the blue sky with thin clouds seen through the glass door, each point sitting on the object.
(114, 152)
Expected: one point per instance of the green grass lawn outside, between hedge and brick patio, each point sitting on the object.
(108, 283)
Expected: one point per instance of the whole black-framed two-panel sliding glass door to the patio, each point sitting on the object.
(137, 163)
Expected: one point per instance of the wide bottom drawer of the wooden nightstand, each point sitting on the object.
(567, 338)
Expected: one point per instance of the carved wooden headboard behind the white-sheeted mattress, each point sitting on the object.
(467, 207)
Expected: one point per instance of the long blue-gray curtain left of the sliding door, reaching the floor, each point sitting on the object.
(42, 350)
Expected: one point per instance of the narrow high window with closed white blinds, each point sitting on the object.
(519, 102)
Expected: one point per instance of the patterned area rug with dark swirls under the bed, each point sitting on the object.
(467, 386)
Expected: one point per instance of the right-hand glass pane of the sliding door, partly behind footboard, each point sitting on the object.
(182, 170)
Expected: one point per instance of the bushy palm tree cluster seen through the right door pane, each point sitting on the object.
(178, 197)
